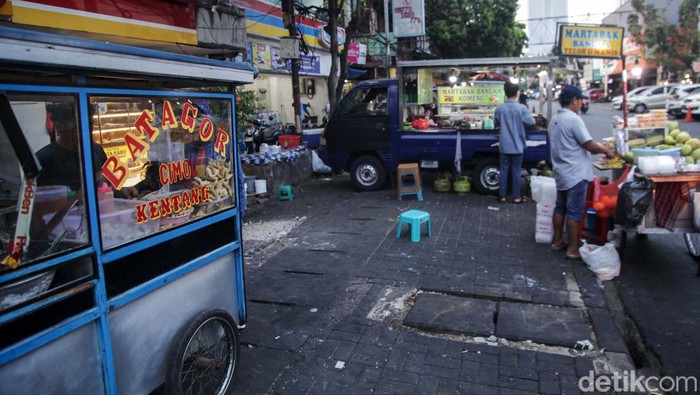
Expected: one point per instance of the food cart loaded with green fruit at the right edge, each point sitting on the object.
(665, 164)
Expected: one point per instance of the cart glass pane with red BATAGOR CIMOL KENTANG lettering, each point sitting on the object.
(168, 162)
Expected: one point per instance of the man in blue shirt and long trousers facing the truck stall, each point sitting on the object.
(512, 118)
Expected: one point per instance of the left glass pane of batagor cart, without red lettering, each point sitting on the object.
(44, 217)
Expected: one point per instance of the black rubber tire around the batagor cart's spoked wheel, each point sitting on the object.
(186, 335)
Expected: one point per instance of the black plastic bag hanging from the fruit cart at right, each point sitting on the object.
(633, 203)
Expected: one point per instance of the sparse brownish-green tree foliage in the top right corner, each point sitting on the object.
(672, 46)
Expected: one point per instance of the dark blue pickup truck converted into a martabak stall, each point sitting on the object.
(369, 134)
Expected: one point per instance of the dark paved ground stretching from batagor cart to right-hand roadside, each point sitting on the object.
(341, 305)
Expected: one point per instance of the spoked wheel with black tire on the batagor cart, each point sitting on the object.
(204, 357)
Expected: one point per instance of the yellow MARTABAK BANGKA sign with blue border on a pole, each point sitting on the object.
(591, 41)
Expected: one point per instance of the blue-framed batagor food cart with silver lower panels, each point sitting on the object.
(120, 226)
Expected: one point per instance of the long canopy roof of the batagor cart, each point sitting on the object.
(28, 51)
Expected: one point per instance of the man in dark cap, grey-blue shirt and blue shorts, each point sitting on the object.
(571, 147)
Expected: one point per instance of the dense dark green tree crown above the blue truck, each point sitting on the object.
(474, 28)
